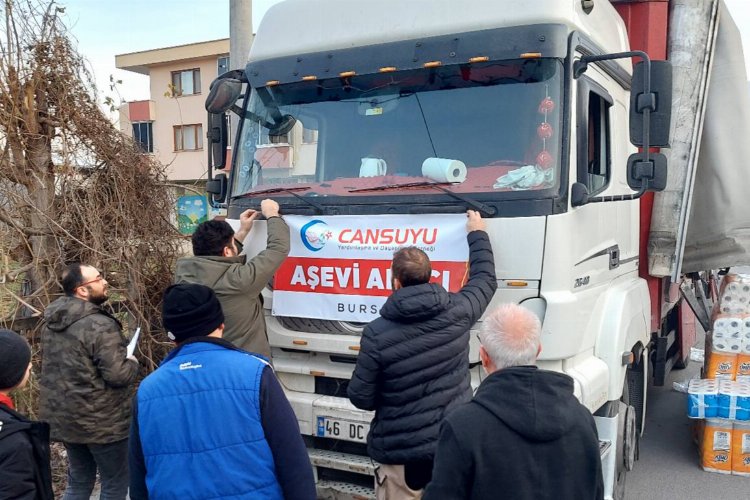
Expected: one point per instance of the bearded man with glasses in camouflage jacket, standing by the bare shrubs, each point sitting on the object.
(86, 384)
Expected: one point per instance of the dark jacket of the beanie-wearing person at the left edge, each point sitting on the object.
(24, 457)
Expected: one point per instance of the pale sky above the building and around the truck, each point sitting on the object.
(135, 25)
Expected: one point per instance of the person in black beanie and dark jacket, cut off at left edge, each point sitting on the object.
(24, 445)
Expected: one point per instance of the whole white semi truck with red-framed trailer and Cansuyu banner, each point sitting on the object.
(376, 124)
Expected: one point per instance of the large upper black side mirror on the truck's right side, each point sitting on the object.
(658, 101)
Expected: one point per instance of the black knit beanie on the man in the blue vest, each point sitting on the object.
(190, 310)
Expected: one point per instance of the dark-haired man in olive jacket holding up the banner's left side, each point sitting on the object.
(236, 279)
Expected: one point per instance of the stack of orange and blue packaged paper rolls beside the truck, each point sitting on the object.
(722, 398)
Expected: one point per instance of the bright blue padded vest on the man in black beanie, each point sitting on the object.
(200, 426)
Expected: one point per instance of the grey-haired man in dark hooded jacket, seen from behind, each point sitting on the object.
(524, 435)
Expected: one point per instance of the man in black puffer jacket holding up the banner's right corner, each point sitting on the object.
(413, 365)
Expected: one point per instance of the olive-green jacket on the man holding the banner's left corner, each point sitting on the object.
(238, 283)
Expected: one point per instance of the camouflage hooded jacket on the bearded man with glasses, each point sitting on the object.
(85, 387)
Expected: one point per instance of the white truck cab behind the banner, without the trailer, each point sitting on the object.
(521, 112)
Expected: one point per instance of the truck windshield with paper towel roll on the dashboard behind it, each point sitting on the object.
(487, 127)
